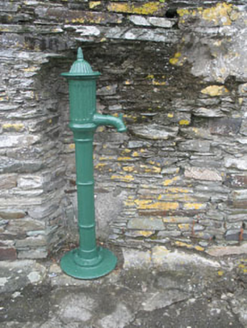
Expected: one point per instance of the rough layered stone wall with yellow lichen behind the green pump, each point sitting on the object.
(177, 70)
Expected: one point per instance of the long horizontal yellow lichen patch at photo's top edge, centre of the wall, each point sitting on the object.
(149, 8)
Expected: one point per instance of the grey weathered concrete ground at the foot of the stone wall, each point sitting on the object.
(148, 289)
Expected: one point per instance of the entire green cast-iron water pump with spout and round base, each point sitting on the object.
(88, 261)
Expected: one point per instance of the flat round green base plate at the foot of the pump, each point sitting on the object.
(106, 264)
